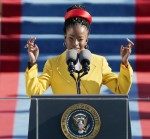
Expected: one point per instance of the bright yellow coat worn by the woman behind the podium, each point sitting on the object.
(56, 75)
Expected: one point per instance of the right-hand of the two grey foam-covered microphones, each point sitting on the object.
(85, 60)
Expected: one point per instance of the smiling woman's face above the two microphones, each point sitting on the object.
(76, 37)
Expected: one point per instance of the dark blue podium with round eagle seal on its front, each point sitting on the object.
(46, 112)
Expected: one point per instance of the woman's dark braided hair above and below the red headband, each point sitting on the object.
(76, 20)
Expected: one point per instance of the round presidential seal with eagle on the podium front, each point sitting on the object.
(80, 121)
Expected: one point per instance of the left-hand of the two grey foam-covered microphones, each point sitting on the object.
(71, 60)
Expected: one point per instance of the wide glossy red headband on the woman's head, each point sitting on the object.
(79, 13)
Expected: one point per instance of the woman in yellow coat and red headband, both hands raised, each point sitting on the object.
(56, 74)
